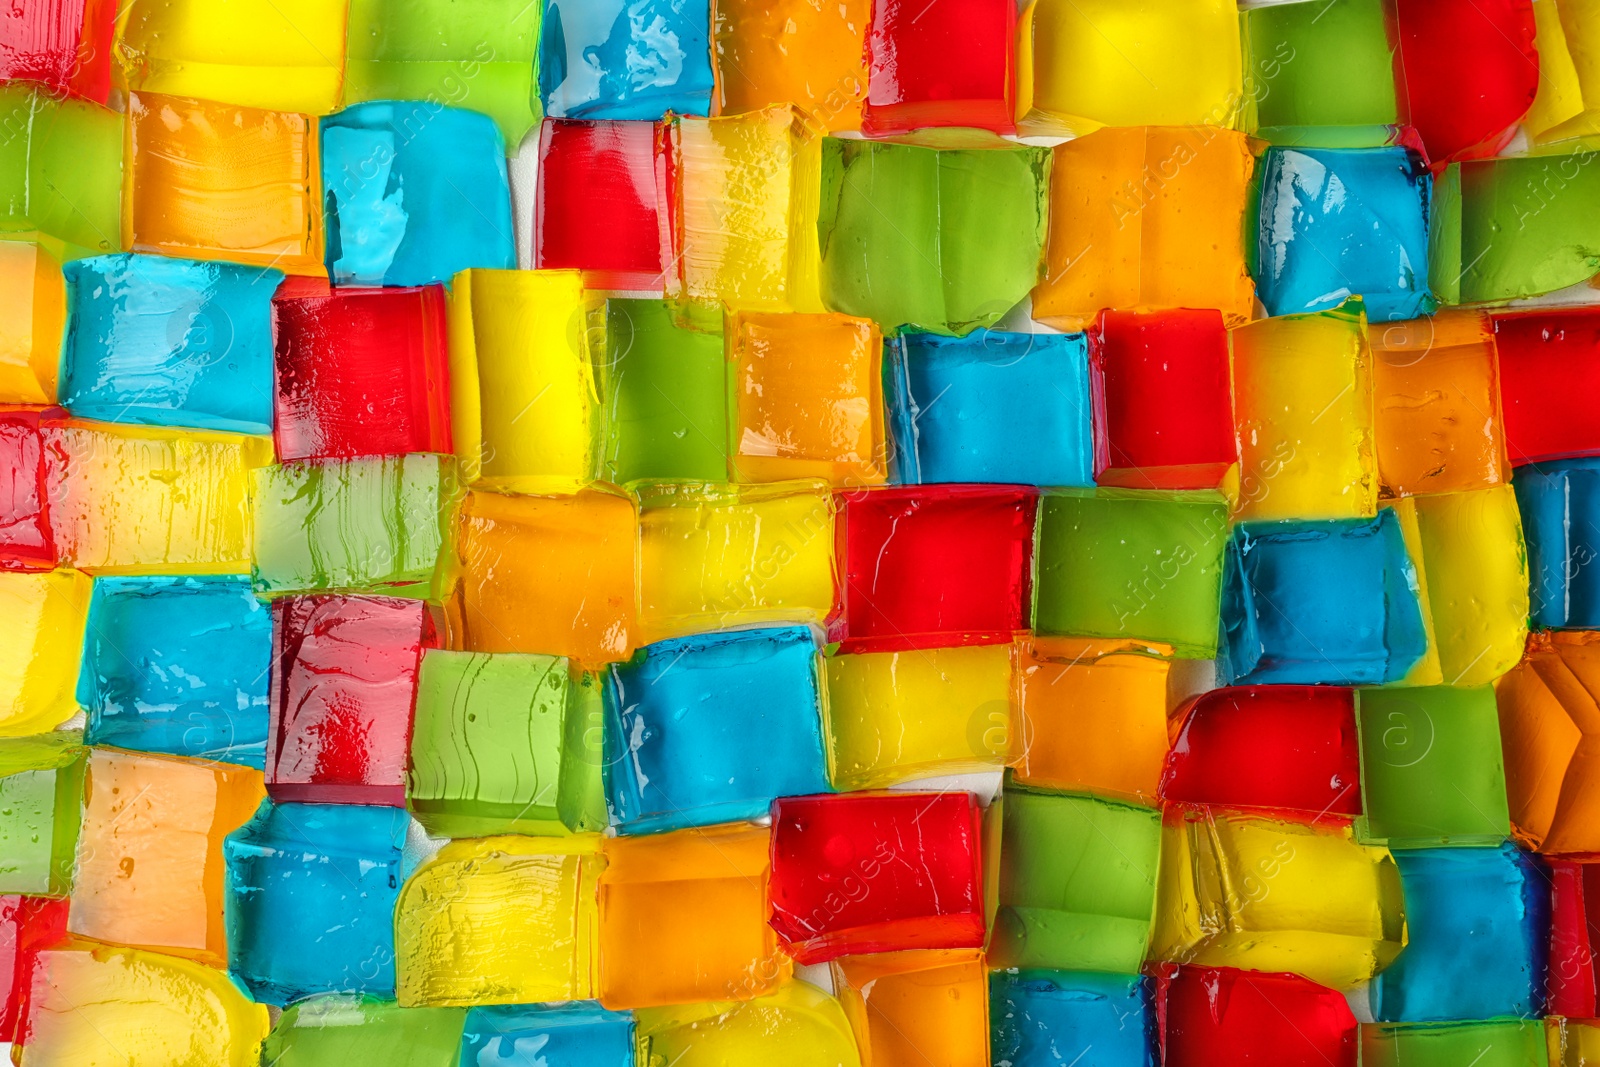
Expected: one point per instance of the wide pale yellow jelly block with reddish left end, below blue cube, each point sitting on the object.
(135, 500)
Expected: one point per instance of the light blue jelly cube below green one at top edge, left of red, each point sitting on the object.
(415, 193)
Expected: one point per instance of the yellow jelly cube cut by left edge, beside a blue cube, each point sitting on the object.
(42, 615)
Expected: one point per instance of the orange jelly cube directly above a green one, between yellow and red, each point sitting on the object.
(1090, 716)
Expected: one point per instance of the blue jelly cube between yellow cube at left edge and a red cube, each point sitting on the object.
(178, 666)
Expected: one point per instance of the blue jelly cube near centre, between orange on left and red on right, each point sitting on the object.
(991, 407)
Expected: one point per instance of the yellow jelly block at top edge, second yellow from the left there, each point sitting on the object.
(1100, 63)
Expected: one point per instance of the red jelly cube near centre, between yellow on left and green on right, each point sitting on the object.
(935, 565)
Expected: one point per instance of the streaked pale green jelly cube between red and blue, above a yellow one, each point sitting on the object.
(506, 745)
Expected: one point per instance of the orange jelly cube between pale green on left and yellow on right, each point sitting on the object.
(550, 575)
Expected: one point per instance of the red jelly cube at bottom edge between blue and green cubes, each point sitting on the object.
(1226, 1018)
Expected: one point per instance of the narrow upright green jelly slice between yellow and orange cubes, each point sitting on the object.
(668, 412)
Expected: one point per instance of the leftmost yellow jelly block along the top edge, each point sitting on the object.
(279, 55)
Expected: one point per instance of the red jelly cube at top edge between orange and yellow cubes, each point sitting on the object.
(940, 63)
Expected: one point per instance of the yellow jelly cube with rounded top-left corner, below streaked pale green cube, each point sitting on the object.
(500, 921)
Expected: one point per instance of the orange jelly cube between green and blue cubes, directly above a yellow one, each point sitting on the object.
(785, 372)
